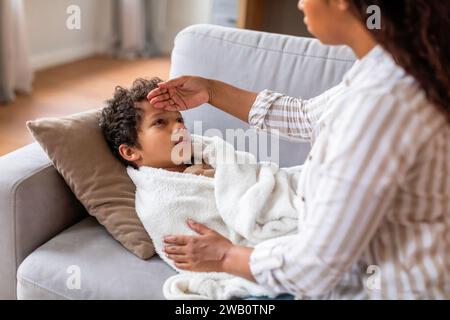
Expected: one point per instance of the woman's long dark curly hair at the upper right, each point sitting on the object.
(415, 33)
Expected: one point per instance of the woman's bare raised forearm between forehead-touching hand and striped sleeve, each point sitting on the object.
(232, 100)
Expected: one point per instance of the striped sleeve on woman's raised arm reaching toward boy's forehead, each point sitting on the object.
(287, 116)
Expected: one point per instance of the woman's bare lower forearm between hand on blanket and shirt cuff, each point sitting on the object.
(236, 262)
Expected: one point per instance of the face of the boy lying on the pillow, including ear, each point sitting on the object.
(164, 141)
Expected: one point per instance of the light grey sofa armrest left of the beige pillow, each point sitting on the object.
(35, 205)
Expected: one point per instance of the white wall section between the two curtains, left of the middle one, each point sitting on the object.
(52, 43)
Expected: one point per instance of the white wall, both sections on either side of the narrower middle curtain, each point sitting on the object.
(52, 43)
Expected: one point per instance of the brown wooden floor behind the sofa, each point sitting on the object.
(71, 88)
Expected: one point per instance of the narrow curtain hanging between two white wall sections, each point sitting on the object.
(132, 29)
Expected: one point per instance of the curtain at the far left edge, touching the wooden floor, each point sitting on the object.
(16, 74)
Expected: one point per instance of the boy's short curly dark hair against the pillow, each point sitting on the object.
(121, 119)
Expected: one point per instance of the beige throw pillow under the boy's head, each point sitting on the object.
(79, 152)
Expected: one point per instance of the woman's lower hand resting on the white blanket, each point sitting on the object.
(203, 253)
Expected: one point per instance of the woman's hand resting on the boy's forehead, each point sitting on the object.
(181, 93)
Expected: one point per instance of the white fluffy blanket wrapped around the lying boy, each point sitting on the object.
(246, 201)
